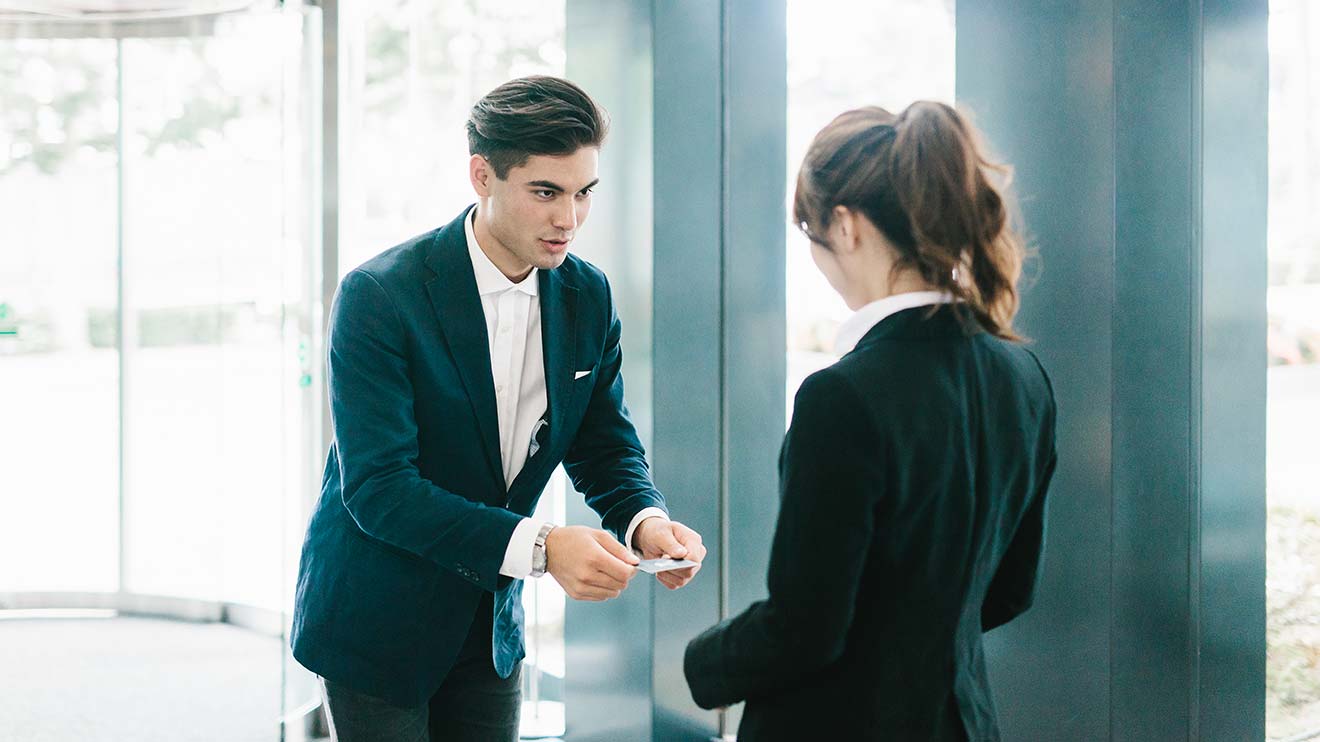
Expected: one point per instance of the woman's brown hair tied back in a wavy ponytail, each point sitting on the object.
(923, 180)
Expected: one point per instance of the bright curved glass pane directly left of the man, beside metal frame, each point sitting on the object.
(212, 282)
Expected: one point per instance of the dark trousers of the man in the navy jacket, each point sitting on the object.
(475, 704)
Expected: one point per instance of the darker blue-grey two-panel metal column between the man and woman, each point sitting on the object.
(720, 126)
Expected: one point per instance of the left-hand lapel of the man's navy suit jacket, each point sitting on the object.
(459, 308)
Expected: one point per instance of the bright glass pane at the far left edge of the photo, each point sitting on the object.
(59, 362)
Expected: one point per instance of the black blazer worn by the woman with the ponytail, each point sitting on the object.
(913, 485)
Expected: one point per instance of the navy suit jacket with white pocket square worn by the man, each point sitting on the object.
(414, 517)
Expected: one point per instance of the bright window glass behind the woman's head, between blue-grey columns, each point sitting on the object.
(845, 55)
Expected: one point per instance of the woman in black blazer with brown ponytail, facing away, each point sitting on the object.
(914, 475)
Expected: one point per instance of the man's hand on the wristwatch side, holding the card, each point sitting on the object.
(589, 564)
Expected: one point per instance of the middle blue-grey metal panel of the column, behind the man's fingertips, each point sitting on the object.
(688, 454)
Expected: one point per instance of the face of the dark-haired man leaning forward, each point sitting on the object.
(534, 213)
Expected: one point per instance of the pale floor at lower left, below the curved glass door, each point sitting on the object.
(137, 681)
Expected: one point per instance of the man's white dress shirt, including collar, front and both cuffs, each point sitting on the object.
(518, 369)
